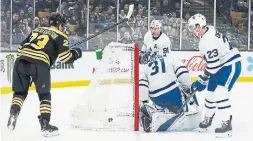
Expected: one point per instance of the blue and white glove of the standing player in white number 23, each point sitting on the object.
(200, 84)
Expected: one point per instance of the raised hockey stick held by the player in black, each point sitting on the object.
(130, 11)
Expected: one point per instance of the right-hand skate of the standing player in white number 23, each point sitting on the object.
(225, 129)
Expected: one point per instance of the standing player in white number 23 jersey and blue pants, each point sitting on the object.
(222, 70)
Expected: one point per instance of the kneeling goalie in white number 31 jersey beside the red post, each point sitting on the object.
(161, 83)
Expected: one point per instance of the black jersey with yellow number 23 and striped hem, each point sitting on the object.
(44, 45)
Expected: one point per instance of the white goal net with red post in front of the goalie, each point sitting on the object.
(111, 101)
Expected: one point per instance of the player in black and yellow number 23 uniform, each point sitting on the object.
(36, 54)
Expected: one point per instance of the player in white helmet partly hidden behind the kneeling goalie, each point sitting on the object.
(155, 38)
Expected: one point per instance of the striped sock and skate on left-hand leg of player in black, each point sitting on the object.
(17, 102)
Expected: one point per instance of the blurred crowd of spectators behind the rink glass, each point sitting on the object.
(29, 14)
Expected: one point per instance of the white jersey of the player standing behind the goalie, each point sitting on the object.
(162, 43)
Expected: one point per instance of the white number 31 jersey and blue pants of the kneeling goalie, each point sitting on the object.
(159, 80)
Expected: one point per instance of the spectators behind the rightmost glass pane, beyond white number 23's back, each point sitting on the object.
(236, 13)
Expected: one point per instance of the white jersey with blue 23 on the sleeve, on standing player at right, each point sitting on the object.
(217, 51)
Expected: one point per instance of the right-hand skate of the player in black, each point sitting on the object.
(47, 129)
